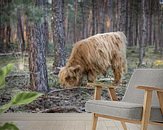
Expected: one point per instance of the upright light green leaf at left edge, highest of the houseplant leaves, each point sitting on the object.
(4, 72)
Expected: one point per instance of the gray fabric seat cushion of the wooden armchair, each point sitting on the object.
(125, 110)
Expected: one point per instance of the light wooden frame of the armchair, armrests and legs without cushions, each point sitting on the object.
(146, 106)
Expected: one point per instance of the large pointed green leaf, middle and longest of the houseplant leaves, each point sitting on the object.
(22, 98)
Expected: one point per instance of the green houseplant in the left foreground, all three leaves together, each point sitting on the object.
(22, 98)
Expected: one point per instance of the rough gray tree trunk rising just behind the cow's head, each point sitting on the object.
(58, 34)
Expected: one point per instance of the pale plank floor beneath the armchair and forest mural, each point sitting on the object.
(57, 121)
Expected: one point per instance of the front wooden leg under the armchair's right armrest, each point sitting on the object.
(146, 109)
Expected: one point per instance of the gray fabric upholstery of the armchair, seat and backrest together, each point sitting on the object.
(131, 105)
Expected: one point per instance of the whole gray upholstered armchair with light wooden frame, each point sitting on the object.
(141, 104)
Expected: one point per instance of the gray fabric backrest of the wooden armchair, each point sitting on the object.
(147, 77)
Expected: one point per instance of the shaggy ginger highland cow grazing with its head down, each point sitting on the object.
(94, 56)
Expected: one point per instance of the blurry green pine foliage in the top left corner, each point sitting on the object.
(29, 8)
